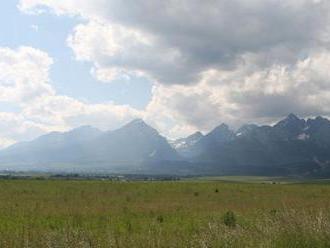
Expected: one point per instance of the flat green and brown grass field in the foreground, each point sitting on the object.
(64, 213)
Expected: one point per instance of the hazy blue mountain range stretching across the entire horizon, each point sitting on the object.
(293, 146)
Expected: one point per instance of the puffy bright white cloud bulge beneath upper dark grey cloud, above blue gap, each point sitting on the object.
(116, 50)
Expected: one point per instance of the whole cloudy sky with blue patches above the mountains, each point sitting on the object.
(181, 65)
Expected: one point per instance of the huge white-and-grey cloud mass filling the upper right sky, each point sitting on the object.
(211, 61)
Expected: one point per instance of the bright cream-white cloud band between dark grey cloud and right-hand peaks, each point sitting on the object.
(244, 95)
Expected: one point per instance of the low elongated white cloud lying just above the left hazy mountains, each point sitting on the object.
(62, 113)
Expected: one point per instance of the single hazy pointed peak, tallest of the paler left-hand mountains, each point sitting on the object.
(134, 143)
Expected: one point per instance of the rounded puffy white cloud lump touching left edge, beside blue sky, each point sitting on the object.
(24, 74)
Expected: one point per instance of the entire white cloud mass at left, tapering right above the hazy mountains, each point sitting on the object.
(25, 82)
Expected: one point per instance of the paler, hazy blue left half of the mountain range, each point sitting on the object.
(135, 144)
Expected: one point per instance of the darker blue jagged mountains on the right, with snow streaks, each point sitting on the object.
(292, 144)
